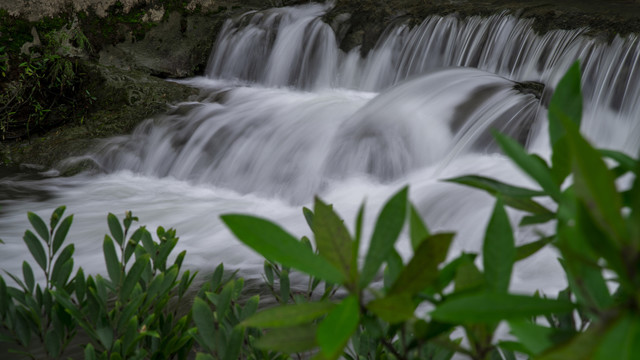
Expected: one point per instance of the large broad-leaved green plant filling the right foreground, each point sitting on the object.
(597, 232)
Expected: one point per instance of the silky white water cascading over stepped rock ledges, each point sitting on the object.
(284, 114)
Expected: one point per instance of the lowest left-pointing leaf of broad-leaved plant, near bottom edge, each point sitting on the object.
(289, 339)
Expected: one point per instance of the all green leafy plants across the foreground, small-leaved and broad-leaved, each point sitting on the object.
(134, 312)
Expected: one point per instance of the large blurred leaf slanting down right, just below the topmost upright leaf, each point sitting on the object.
(595, 185)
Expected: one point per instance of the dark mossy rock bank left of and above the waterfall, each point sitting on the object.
(133, 45)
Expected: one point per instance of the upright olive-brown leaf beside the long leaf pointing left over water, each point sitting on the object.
(332, 238)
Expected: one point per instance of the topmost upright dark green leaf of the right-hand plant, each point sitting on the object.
(565, 104)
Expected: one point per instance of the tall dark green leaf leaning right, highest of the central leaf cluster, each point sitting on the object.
(386, 232)
